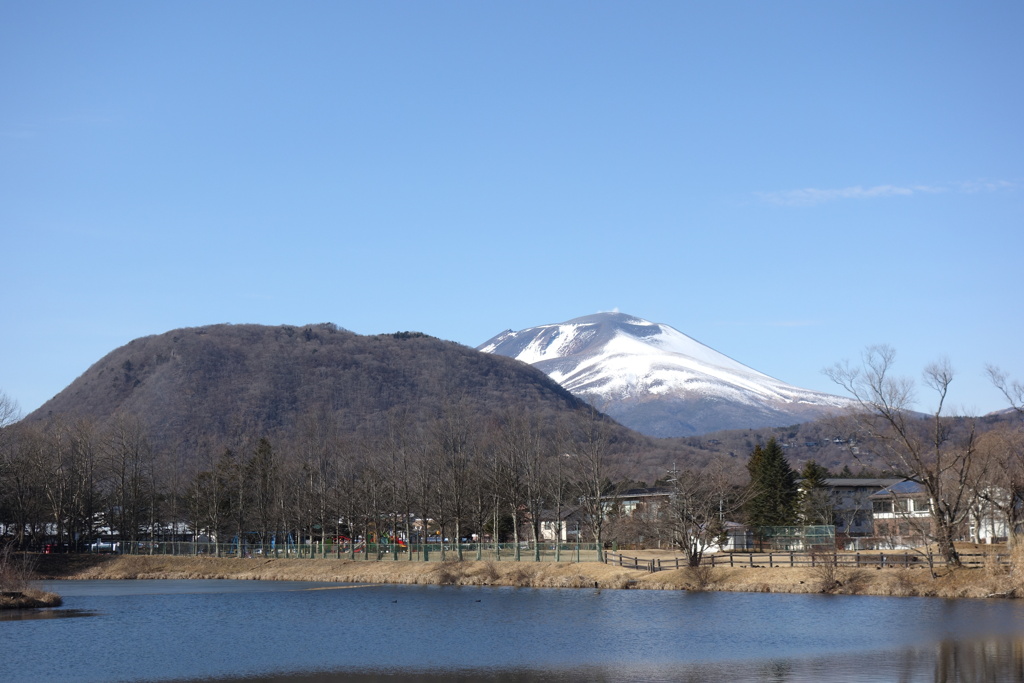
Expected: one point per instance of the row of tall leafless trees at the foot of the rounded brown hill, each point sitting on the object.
(69, 481)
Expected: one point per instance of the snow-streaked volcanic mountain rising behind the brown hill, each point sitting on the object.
(657, 380)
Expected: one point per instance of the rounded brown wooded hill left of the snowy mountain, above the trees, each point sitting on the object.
(225, 383)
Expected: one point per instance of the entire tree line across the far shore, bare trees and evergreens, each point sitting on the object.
(498, 477)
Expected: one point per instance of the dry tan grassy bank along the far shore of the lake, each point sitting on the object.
(984, 583)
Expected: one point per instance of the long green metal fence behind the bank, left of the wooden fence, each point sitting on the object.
(433, 552)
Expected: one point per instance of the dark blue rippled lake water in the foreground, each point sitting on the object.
(308, 632)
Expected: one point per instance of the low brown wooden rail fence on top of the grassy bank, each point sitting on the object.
(879, 560)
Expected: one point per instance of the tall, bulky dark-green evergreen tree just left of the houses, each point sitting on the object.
(775, 497)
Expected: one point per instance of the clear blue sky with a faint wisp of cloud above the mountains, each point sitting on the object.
(788, 183)
